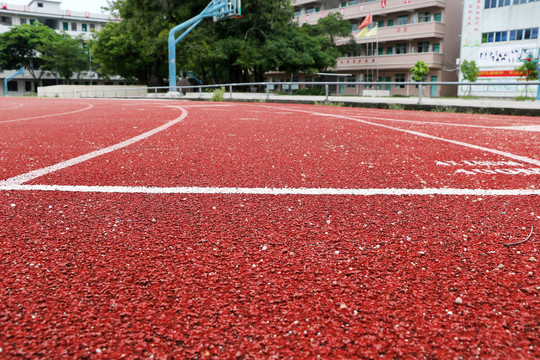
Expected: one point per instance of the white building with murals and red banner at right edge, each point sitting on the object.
(498, 35)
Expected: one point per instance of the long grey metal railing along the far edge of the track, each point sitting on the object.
(267, 88)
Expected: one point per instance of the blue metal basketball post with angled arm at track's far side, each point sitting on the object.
(215, 8)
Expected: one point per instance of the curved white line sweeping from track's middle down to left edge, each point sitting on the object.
(20, 179)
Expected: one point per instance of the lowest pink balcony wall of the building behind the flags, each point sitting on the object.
(389, 62)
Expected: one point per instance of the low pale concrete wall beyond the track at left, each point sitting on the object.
(92, 91)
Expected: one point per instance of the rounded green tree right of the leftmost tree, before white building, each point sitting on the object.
(64, 55)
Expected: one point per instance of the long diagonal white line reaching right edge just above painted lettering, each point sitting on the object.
(417, 133)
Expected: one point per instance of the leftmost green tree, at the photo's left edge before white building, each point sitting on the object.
(20, 47)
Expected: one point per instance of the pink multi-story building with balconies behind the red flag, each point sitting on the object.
(407, 31)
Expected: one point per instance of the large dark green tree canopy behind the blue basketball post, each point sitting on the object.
(266, 38)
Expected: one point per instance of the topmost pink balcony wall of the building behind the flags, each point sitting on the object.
(376, 8)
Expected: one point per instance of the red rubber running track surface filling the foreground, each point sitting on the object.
(94, 275)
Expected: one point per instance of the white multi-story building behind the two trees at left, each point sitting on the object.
(49, 13)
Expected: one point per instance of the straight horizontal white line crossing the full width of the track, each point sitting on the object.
(270, 191)
